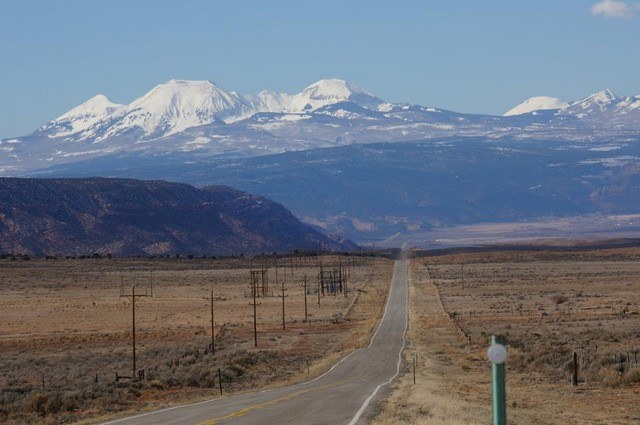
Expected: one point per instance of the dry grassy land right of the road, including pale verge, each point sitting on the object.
(506, 293)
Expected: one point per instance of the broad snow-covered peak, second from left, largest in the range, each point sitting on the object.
(176, 105)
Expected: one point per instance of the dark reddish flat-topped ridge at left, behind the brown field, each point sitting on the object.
(125, 217)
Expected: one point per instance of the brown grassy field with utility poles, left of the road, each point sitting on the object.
(66, 332)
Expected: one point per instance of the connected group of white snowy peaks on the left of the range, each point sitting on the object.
(177, 105)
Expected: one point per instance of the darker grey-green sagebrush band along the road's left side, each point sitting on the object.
(61, 399)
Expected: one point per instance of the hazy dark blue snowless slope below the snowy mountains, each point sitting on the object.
(372, 192)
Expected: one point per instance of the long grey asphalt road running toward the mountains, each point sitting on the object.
(343, 395)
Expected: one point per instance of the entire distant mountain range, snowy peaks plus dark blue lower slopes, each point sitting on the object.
(543, 158)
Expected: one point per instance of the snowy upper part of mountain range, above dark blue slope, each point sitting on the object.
(200, 119)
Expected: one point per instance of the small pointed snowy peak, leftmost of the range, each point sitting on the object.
(82, 117)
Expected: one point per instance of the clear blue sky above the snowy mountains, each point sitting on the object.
(468, 56)
